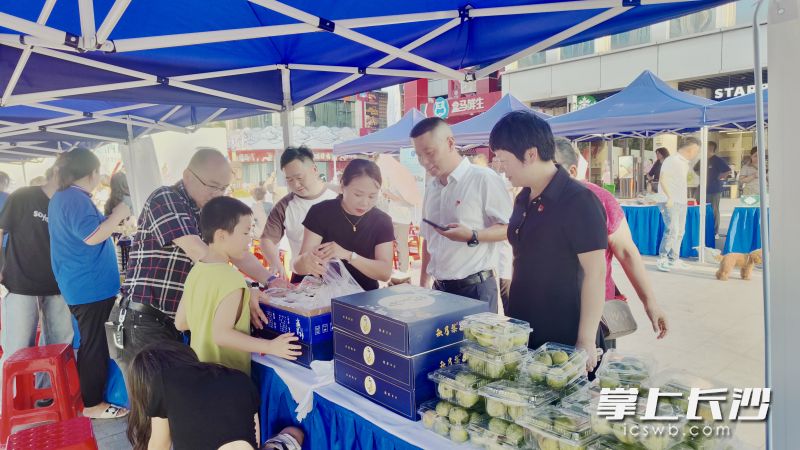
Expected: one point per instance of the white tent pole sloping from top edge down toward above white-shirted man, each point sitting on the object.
(360, 38)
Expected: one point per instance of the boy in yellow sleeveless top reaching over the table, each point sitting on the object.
(214, 306)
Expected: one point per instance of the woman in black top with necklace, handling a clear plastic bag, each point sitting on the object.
(350, 228)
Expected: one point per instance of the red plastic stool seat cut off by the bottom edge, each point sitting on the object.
(73, 434)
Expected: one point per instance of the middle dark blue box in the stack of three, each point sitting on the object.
(410, 372)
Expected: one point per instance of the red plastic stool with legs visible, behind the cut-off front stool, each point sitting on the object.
(57, 360)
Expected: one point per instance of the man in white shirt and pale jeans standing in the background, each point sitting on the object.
(673, 185)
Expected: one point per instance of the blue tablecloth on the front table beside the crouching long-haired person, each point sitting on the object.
(327, 426)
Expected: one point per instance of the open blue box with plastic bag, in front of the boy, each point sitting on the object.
(313, 329)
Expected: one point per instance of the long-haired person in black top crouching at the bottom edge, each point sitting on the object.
(178, 401)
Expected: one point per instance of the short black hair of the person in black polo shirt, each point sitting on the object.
(519, 131)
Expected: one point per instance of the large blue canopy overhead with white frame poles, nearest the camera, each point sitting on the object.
(269, 55)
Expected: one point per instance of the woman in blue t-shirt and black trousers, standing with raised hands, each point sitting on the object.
(85, 267)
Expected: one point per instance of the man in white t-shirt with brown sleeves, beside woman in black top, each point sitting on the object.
(306, 189)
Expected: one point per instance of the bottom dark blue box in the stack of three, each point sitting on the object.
(391, 396)
